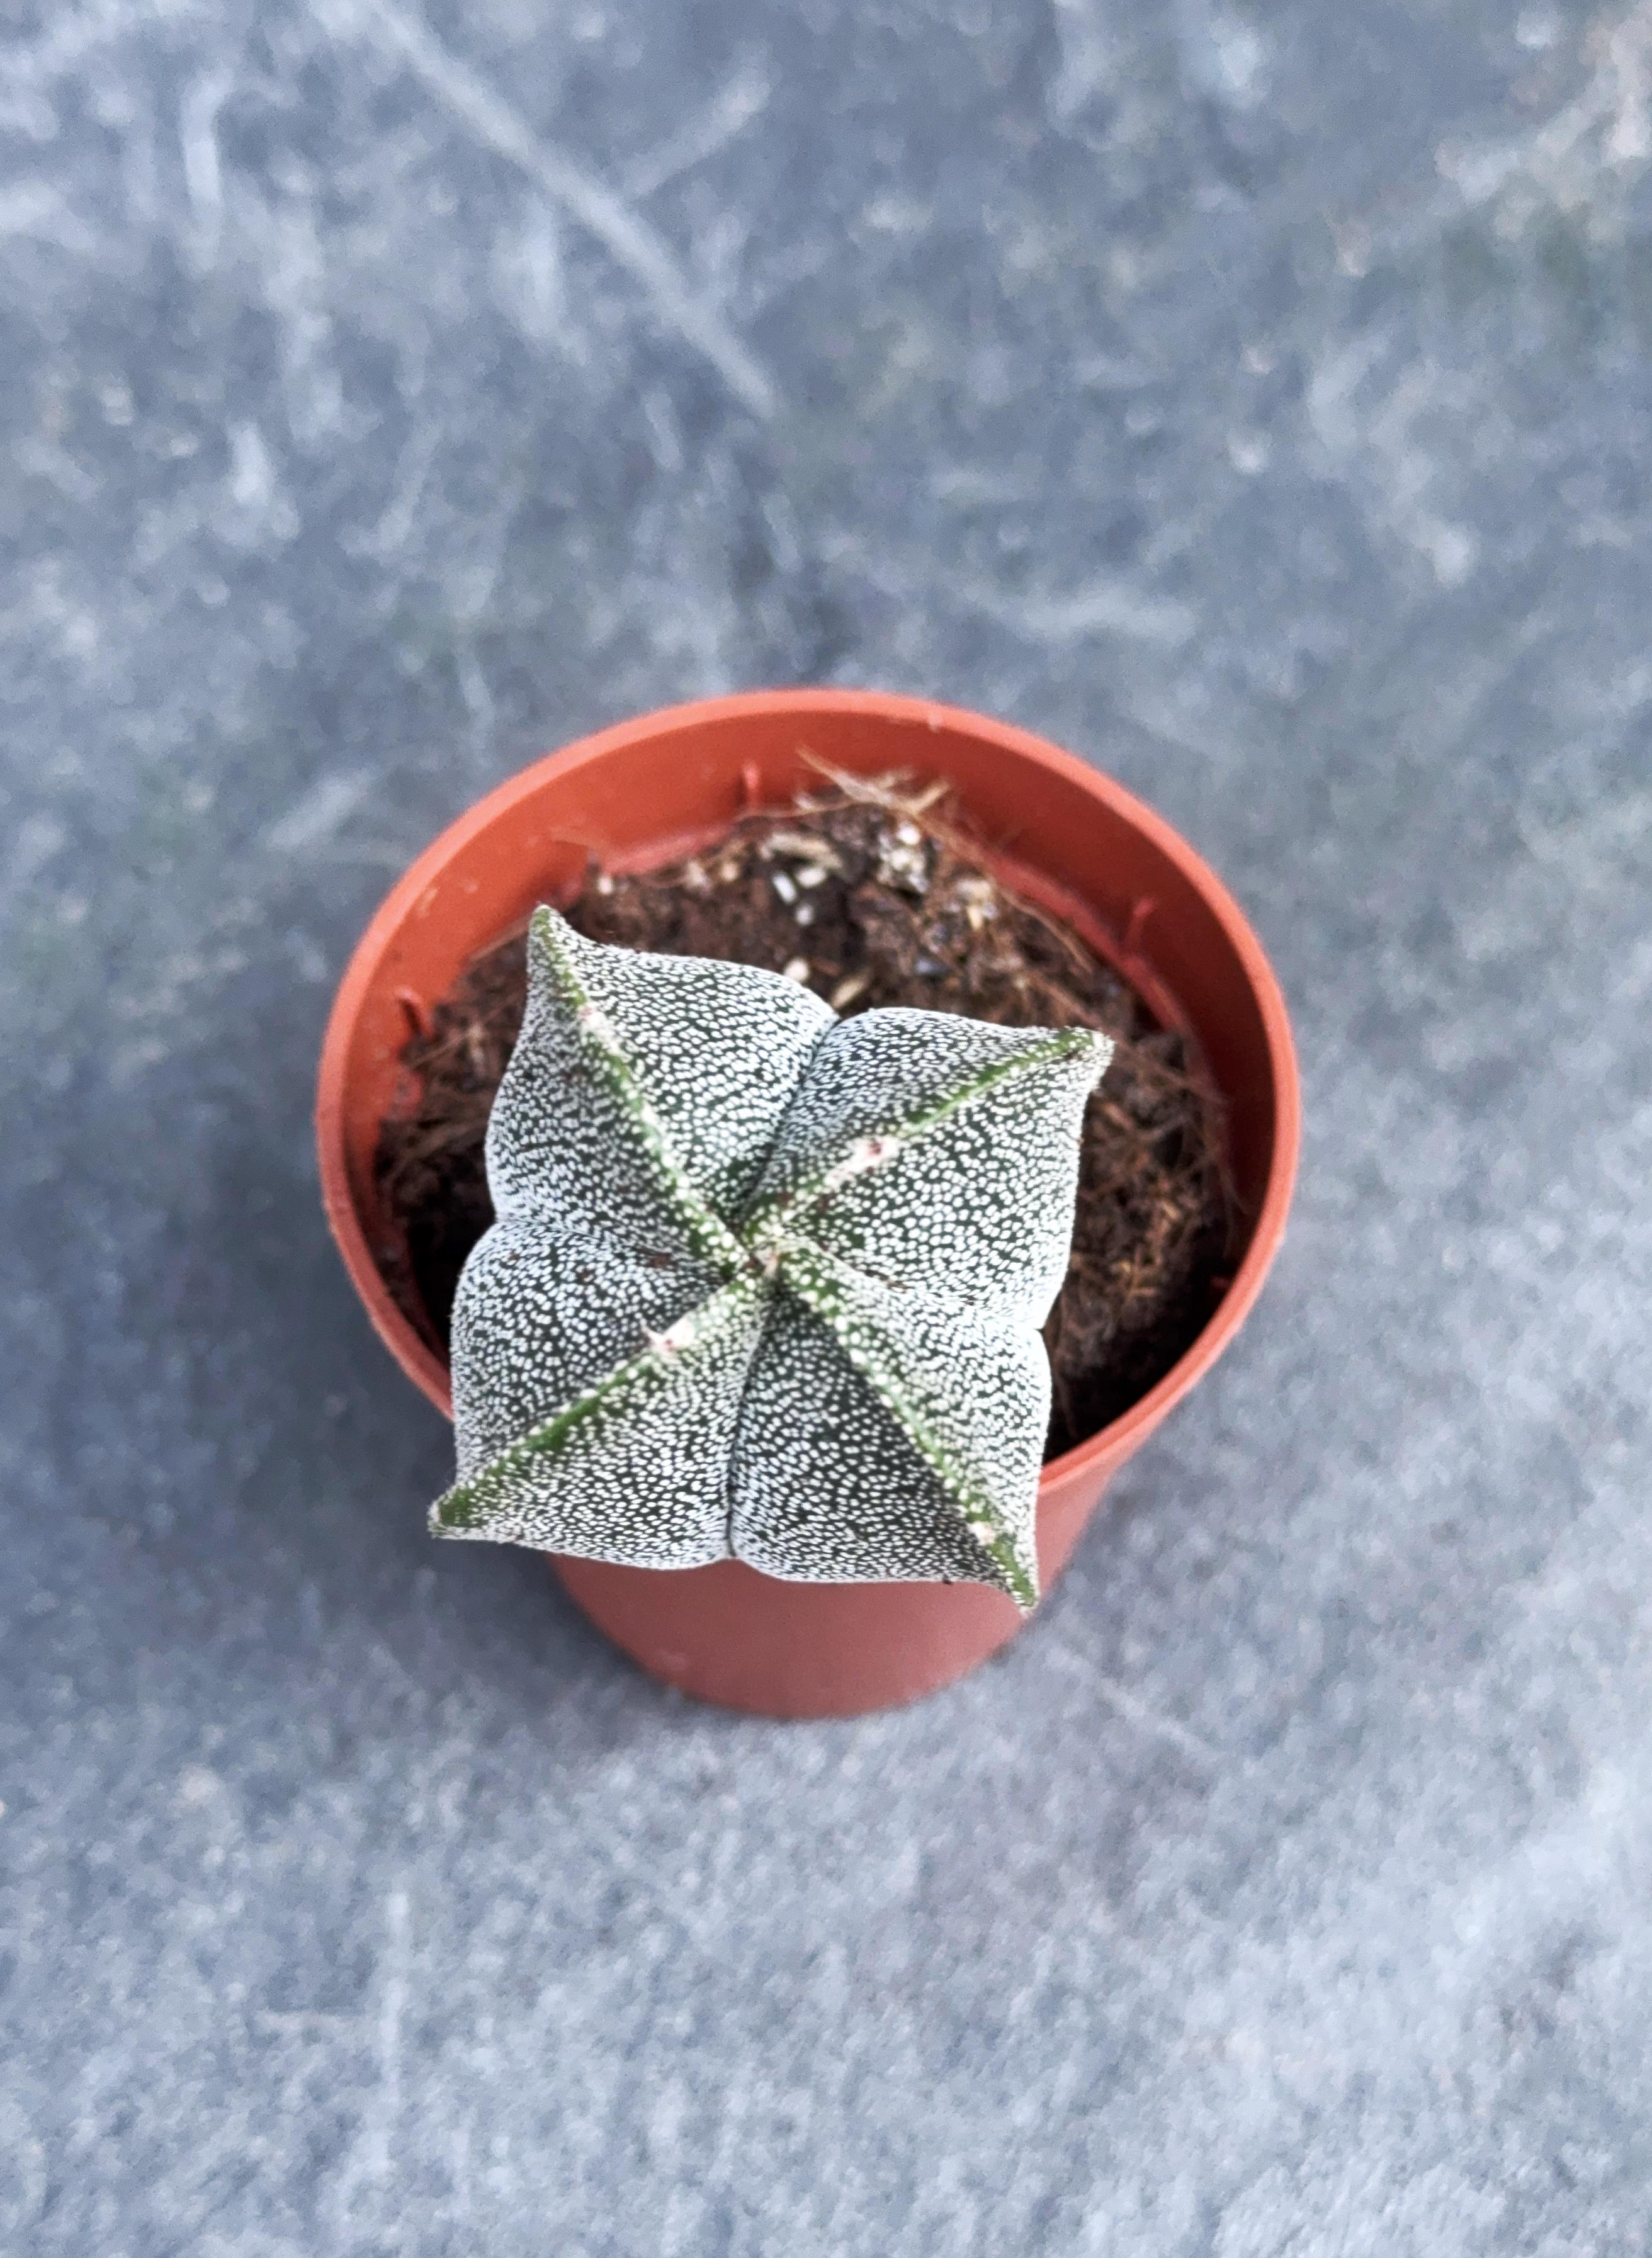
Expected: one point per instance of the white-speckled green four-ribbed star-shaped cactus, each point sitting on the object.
(764, 1284)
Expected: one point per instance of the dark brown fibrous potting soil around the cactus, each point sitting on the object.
(872, 895)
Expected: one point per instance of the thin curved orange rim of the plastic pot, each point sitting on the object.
(1100, 1451)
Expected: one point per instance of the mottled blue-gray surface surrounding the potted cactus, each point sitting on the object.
(1251, 396)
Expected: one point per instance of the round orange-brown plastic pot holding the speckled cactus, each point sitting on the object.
(662, 787)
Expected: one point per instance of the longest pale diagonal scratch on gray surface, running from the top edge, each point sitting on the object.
(604, 213)
